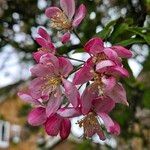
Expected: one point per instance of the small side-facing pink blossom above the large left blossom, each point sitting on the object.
(46, 44)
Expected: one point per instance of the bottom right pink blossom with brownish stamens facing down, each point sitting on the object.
(91, 121)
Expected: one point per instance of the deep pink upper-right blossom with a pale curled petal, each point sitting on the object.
(103, 61)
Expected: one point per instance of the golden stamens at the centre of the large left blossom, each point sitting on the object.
(51, 83)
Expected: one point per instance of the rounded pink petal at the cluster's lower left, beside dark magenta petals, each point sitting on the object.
(37, 116)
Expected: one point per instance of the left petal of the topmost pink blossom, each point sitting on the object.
(51, 12)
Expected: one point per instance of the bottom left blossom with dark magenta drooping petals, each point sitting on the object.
(58, 123)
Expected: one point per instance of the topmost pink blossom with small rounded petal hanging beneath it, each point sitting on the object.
(66, 18)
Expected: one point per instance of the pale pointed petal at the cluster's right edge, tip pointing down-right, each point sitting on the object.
(118, 94)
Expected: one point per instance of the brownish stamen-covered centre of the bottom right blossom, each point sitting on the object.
(90, 124)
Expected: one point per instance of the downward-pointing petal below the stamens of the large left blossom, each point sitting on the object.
(54, 103)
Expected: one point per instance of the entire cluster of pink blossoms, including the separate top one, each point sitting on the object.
(56, 99)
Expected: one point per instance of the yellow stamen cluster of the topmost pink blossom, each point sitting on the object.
(60, 22)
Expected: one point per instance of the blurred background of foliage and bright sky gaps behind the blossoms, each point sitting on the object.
(124, 22)
